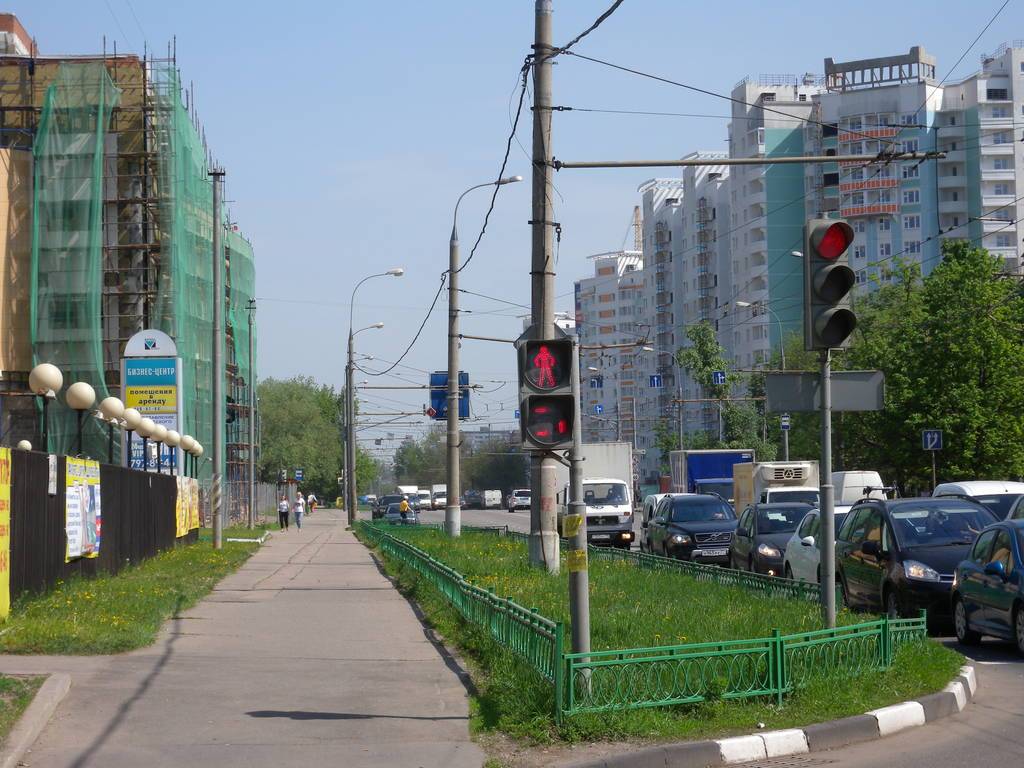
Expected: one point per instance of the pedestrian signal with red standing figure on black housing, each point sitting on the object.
(547, 407)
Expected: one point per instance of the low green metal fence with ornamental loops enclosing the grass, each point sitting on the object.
(636, 678)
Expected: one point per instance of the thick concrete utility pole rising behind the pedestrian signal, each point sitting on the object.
(543, 472)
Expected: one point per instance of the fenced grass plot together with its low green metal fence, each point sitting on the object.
(673, 657)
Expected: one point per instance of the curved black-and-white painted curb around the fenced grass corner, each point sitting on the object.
(818, 738)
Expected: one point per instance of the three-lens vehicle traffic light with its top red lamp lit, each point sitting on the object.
(829, 319)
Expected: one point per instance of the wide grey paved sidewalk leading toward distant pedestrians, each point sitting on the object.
(306, 657)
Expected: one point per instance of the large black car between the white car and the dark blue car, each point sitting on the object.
(901, 556)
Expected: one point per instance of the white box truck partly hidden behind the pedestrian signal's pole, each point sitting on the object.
(608, 491)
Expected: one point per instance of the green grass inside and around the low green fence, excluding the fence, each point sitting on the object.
(633, 609)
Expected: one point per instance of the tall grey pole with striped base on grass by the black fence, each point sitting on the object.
(219, 363)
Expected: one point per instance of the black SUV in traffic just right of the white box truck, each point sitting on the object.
(693, 527)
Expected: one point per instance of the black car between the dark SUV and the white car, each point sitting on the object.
(761, 537)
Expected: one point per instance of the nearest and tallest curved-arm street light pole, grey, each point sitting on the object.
(453, 510)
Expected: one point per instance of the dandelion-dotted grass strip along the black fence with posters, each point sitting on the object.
(114, 614)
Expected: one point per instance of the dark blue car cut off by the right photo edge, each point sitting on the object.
(989, 588)
